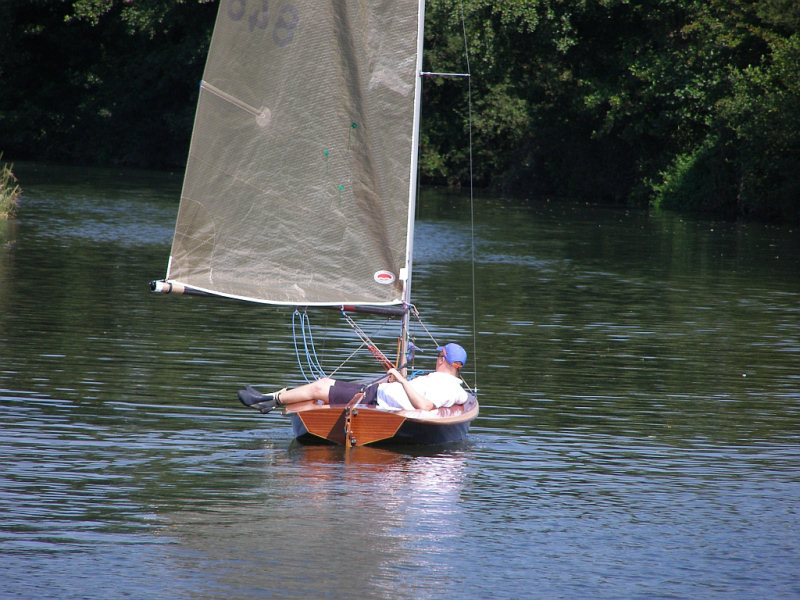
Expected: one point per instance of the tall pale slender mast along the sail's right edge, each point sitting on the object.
(412, 186)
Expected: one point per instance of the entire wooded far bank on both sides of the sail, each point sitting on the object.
(687, 105)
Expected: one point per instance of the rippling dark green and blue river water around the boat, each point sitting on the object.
(639, 433)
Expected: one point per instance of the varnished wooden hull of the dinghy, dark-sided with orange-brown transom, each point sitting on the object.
(360, 425)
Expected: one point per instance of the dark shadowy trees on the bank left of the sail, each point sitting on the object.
(103, 82)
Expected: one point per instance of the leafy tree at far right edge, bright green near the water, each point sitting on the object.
(744, 162)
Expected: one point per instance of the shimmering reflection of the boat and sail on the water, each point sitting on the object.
(329, 518)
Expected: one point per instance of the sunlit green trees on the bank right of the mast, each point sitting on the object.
(676, 102)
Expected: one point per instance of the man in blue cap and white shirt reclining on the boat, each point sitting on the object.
(439, 388)
